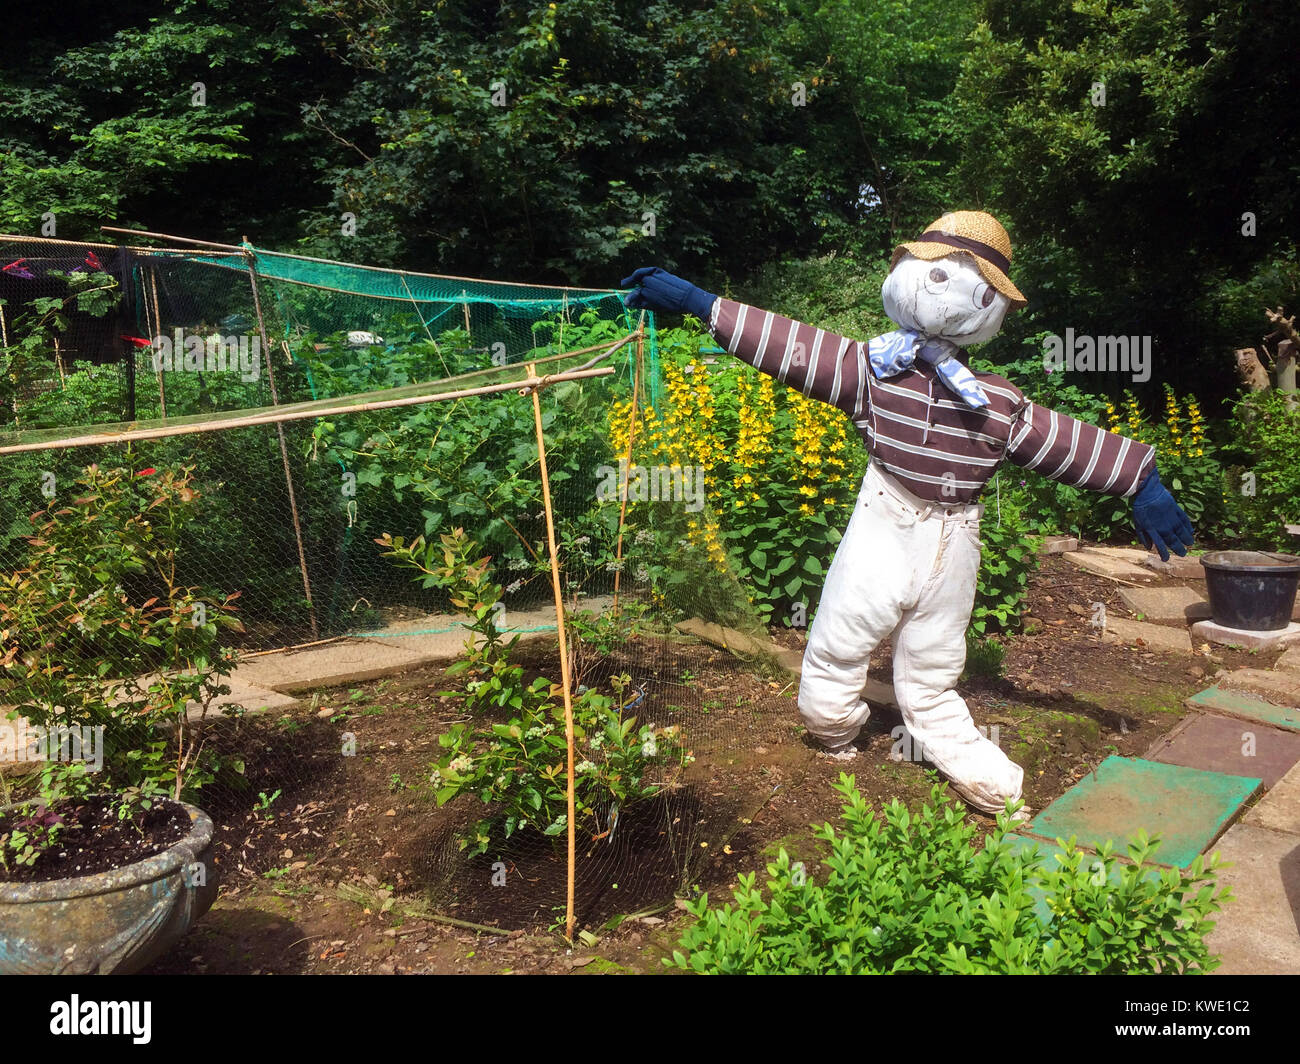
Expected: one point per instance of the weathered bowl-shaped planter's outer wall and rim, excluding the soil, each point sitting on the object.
(112, 922)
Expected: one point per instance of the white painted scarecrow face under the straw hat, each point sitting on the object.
(944, 297)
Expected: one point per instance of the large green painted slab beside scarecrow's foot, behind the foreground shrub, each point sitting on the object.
(1188, 808)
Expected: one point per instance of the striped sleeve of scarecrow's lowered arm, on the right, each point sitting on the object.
(1076, 453)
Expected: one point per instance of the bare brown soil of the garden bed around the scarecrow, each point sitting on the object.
(343, 870)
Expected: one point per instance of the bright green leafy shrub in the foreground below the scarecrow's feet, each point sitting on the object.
(918, 894)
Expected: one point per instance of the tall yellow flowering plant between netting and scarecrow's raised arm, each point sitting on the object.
(779, 474)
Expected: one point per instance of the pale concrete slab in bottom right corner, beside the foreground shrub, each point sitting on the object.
(1259, 932)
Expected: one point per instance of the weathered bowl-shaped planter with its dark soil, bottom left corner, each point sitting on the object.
(110, 894)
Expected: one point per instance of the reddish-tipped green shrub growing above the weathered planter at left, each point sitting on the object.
(98, 632)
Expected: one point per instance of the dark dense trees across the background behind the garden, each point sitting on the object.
(751, 133)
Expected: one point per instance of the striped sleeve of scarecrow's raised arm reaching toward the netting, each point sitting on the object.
(824, 366)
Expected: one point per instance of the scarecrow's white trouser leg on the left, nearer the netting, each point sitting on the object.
(872, 579)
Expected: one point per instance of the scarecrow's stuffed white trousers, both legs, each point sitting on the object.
(905, 568)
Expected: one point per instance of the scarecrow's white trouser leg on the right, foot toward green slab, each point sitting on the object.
(929, 656)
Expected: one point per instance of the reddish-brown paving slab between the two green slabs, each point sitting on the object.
(1225, 745)
